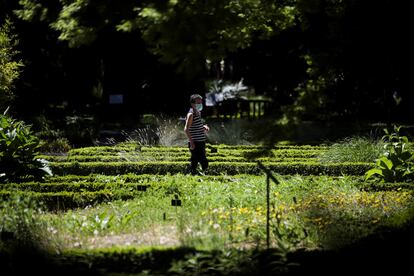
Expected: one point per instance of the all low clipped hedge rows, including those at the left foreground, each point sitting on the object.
(91, 175)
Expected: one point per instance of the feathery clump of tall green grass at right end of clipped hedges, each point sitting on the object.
(353, 149)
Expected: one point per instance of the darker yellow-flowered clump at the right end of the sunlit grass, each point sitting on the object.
(339, 217)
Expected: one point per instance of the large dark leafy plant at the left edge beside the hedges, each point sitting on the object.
(18, 151)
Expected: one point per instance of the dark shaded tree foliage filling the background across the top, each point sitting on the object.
(323, 60)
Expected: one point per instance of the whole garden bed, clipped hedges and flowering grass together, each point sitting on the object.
(127, 217)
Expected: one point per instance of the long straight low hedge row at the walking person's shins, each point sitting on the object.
(217, 168)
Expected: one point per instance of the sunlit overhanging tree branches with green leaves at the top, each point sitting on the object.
(181, 32)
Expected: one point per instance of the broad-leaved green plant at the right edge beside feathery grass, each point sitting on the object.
(397, 162)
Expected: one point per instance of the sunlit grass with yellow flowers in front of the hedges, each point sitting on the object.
(231, 212)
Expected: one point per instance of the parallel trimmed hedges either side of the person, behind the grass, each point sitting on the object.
(132, 158)
